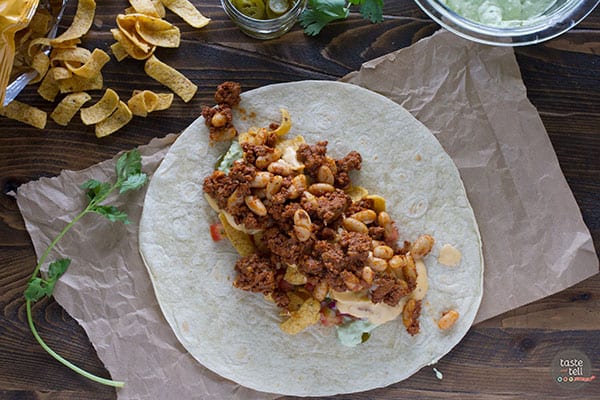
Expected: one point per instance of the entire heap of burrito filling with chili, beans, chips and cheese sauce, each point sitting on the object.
(323, 250)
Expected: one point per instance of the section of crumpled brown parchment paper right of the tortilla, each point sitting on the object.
(473, 99)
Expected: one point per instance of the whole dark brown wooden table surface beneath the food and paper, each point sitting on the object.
(503, 358)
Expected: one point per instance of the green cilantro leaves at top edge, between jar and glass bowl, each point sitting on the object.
(319, 13)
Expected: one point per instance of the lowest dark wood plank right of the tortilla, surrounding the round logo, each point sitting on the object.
(507, 363)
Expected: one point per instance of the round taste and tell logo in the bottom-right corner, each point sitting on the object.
(572, 369)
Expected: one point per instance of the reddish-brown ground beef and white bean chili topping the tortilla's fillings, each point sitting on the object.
(307, 221)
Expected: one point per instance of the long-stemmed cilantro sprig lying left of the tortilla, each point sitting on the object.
(128, 177)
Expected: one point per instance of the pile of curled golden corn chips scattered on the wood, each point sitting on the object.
(73, 70)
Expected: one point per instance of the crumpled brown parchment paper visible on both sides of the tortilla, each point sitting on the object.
(473, 99)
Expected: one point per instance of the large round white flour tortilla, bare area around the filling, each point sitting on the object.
(236, 333)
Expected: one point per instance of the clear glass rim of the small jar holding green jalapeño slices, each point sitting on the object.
(264, 28)
